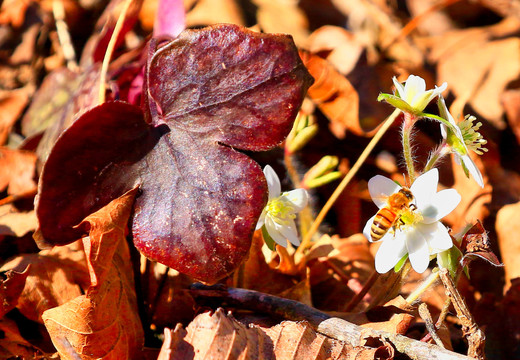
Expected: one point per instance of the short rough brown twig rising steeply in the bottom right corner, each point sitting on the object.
(475, 336)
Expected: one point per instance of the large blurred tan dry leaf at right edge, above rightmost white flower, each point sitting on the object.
(477, 68)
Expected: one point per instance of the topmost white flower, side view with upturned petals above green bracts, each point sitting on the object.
(412, 96)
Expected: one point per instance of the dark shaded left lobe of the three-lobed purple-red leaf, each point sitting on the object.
(89, 167)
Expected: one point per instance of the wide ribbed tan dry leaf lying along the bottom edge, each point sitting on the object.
(220, 336)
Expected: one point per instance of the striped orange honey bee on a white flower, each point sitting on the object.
(390, 215)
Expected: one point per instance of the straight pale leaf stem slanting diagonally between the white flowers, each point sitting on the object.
(328, 205)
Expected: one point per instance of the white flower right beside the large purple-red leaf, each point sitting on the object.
(279, 213)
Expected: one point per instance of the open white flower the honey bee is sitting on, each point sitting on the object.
(422, 234)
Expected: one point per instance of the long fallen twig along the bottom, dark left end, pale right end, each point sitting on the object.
(335, 328)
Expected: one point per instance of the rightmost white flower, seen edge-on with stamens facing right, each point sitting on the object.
(457, 141)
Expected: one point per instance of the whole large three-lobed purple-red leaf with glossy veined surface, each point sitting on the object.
(211, 91)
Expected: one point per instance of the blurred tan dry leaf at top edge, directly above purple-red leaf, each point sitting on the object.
(208, 12)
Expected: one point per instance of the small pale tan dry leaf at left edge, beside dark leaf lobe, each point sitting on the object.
(16, 223)
